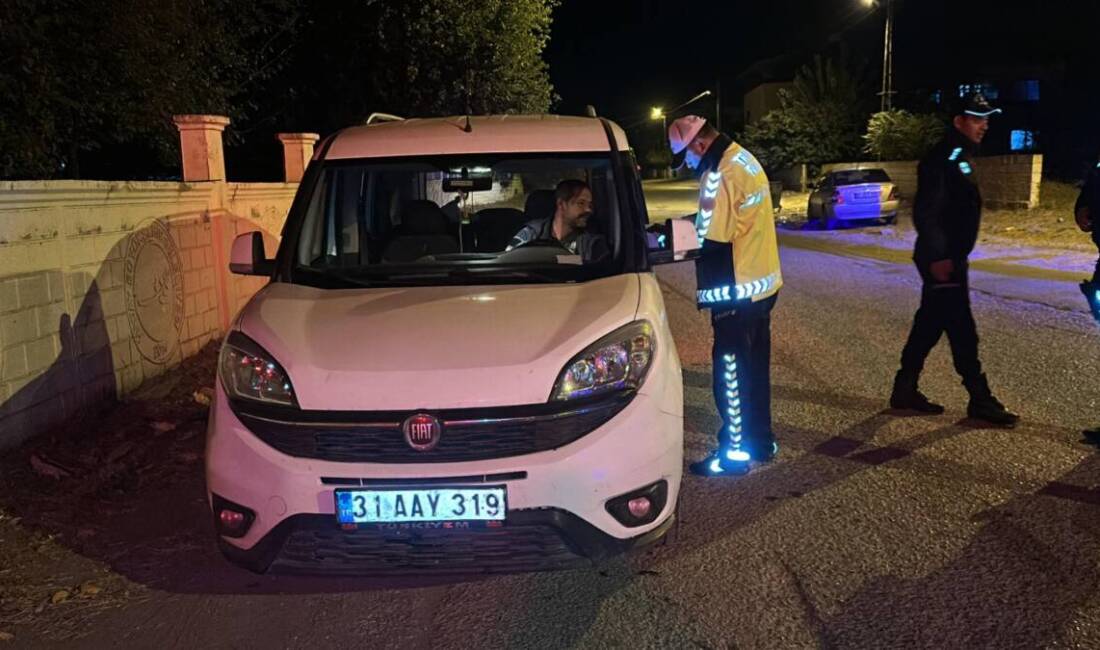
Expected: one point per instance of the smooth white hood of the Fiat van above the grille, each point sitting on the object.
(433, 348)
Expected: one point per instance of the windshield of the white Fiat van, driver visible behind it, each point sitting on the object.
(470, 219)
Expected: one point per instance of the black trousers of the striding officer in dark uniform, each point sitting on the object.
(945, 307)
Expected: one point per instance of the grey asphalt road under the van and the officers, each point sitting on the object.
(870, 532)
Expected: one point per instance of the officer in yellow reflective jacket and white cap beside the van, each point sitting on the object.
(739, 279)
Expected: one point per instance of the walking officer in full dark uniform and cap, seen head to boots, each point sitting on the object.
(948, 215)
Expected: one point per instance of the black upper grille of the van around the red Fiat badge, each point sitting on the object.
(468, 435)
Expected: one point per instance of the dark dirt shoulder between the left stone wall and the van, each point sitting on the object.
(101, 514)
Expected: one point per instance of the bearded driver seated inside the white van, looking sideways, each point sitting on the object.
(568, 227)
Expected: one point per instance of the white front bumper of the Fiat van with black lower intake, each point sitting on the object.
(557, 501)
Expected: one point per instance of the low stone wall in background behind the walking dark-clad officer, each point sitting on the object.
(1006, 182)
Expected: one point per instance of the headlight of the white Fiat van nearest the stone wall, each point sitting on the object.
(250, 372)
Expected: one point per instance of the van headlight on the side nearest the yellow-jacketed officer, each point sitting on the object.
(619, 361)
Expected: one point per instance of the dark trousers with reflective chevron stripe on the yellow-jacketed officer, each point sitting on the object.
(743, 389)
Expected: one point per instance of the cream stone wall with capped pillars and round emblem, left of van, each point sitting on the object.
(107, 284)
